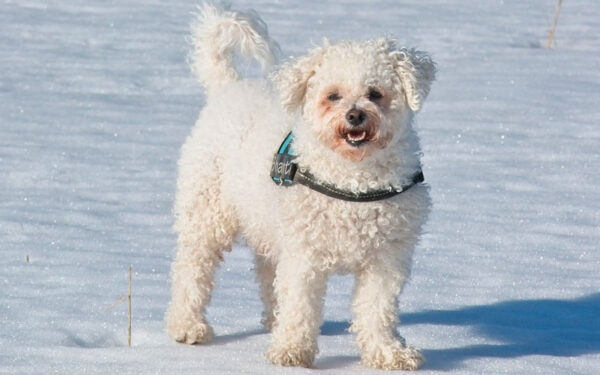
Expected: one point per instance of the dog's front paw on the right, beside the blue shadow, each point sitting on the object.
(398, 358)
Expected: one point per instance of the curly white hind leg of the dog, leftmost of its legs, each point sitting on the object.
(206, 227)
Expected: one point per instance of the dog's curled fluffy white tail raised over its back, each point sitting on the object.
(217, 33)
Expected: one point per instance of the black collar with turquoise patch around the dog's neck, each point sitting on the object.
(285, 172)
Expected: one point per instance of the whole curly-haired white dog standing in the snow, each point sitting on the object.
(343, 194)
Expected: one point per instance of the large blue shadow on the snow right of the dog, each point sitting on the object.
(562, 328)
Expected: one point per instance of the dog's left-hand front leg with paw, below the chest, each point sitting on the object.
(300, 289)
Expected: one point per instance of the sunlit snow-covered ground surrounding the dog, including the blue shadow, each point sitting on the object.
(96, 99)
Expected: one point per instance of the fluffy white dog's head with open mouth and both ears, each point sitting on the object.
(356, 95)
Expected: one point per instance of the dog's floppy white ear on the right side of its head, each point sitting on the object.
(416, 71)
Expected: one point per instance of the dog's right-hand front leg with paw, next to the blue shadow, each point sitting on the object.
(375, 307)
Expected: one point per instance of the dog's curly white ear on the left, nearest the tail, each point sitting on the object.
(292, 79)
